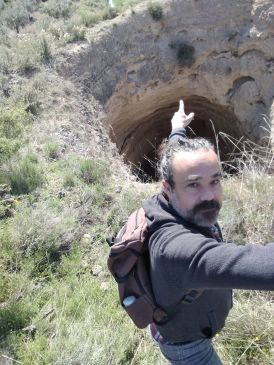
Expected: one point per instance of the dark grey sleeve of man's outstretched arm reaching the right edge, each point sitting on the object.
(194, 261)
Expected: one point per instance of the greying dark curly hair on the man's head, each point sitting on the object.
(181, 145)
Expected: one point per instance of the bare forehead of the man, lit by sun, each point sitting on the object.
(201, 162)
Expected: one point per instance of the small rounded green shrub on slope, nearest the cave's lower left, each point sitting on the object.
(94, 171)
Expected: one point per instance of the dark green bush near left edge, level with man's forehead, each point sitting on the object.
(25, 176)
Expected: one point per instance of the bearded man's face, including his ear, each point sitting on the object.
(197, 194)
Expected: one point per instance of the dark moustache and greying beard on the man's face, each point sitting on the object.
(203, 214)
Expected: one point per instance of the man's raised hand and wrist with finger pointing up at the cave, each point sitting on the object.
(179, 122)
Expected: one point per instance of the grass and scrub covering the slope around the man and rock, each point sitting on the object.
(58, 303)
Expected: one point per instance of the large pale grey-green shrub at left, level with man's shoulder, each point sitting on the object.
(45, 231)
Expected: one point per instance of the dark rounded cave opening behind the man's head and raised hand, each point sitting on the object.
(143, 135)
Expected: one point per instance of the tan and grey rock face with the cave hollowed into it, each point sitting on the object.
(217, 55)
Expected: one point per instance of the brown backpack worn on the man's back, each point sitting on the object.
(128, 262)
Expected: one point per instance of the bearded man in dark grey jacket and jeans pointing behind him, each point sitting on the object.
(192, 270)
